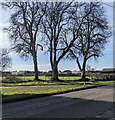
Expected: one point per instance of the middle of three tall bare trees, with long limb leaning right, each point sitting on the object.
(59, 31)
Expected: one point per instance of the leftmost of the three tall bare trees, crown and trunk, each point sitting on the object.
(24, 28)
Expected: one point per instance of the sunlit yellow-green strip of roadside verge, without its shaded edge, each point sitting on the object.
(35, 90)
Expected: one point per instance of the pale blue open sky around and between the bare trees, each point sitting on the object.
(43, 59)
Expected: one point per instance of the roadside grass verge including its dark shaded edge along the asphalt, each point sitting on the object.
(13, 94)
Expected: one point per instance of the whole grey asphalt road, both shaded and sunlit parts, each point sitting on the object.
(96, 103)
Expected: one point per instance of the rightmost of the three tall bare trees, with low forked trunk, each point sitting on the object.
(93, 35)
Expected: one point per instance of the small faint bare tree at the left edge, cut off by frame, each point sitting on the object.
(5, 60)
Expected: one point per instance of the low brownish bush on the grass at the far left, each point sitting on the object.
(11, 79)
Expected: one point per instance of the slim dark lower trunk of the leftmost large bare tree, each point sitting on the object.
(35, 67)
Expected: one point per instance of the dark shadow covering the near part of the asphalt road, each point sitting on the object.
(59, 106)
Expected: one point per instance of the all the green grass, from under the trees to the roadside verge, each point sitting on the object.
(44, 87)
